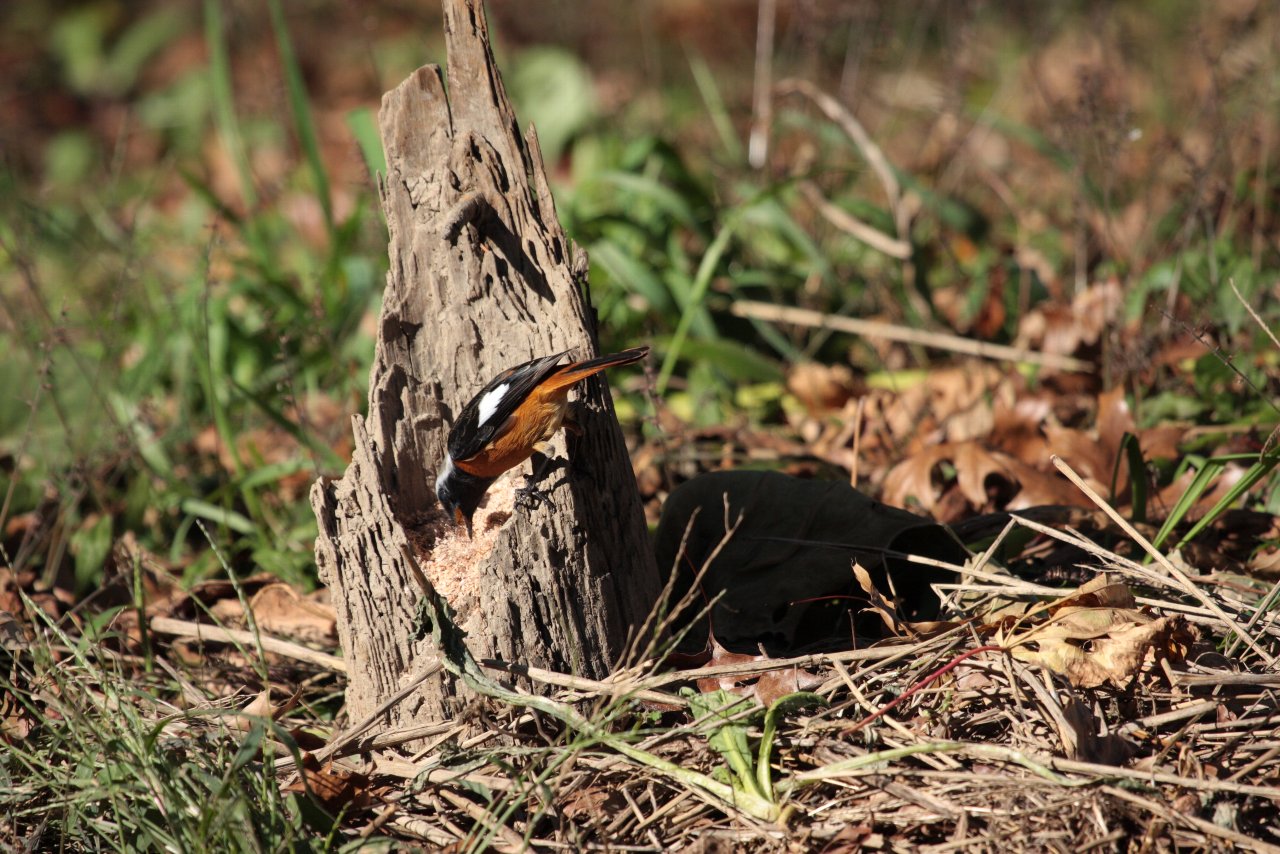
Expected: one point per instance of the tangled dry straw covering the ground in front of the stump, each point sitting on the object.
(986, 751)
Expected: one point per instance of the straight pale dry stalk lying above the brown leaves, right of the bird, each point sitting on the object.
(893, 332)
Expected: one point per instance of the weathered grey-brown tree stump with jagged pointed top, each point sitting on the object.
(482, 278)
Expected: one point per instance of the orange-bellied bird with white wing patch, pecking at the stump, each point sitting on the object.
(511, 418)
